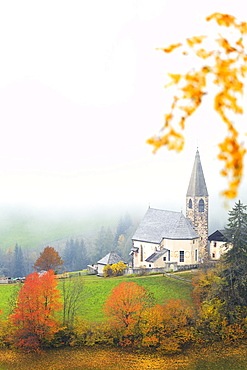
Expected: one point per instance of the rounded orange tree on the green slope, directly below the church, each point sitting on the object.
(124, 307)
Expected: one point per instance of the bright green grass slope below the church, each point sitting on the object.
(96, 290)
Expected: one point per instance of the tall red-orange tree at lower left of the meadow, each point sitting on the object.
(34, 317)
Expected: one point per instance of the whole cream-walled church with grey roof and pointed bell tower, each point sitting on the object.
(167, 237)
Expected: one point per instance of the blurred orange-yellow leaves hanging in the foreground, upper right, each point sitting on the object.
(227, 64)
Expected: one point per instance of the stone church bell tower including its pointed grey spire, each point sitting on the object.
(197, 205)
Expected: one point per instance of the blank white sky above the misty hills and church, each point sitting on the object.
(81, 90)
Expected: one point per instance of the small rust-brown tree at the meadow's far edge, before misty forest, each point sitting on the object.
(49, 259)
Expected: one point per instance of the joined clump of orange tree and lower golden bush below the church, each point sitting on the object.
(135, 320)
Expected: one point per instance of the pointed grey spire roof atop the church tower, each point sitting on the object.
(197, 186)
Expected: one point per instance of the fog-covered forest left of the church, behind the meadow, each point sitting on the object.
(77, 251)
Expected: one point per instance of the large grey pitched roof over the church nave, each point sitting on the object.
(159, 224)
